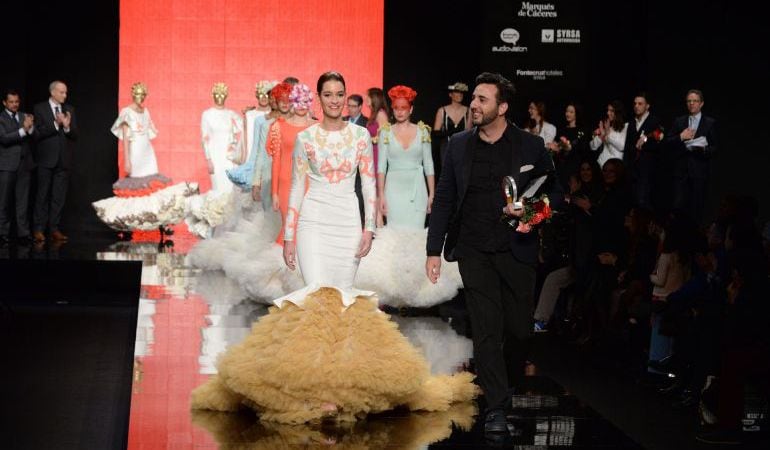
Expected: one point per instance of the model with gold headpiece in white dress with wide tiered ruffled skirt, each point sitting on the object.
(144, 199)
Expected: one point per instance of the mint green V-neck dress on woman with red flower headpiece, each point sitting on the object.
(405, 170)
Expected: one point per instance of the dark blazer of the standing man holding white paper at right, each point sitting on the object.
(692, 163)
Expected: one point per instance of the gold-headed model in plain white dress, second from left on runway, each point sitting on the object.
(222, 139)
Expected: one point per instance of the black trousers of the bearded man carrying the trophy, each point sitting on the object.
(499, 293)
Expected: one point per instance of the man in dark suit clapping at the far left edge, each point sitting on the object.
(16, 165)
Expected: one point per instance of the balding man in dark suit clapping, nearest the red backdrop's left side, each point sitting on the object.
(55, 136)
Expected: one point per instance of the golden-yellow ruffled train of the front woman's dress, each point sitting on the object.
(297, 361)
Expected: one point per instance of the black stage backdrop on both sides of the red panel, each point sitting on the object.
(660, 46)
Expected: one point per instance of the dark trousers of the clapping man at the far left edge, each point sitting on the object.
(14, 183)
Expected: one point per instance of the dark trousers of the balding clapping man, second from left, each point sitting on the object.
(52, 186)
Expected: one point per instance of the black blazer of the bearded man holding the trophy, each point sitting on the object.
(445, 217)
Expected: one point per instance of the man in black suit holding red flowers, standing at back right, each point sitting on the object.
(641, 150)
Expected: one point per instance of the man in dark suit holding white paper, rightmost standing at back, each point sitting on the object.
(692, 141)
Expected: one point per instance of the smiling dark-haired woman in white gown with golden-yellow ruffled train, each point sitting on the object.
(327, 350)
